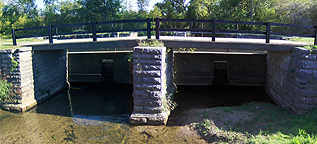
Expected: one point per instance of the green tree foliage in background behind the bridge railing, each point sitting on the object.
(23, 13)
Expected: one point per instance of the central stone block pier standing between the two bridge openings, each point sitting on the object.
(151, 79)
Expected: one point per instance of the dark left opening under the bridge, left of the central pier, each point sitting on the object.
(100, 82)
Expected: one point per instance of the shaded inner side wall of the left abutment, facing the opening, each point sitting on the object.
(50, 72)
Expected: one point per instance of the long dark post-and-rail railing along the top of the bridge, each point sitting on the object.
(154, 25)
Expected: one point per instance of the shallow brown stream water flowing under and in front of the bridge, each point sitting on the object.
(98, 113)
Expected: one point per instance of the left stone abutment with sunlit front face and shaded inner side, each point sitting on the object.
(39, 74)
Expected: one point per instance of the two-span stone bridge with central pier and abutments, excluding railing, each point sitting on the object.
(289, 73)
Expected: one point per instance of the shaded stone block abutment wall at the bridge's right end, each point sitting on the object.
(292, 79)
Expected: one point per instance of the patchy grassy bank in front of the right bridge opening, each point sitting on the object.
(258, 123)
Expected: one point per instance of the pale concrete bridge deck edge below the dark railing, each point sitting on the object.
(174, 42)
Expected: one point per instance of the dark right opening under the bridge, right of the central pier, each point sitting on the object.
(212, 79)
